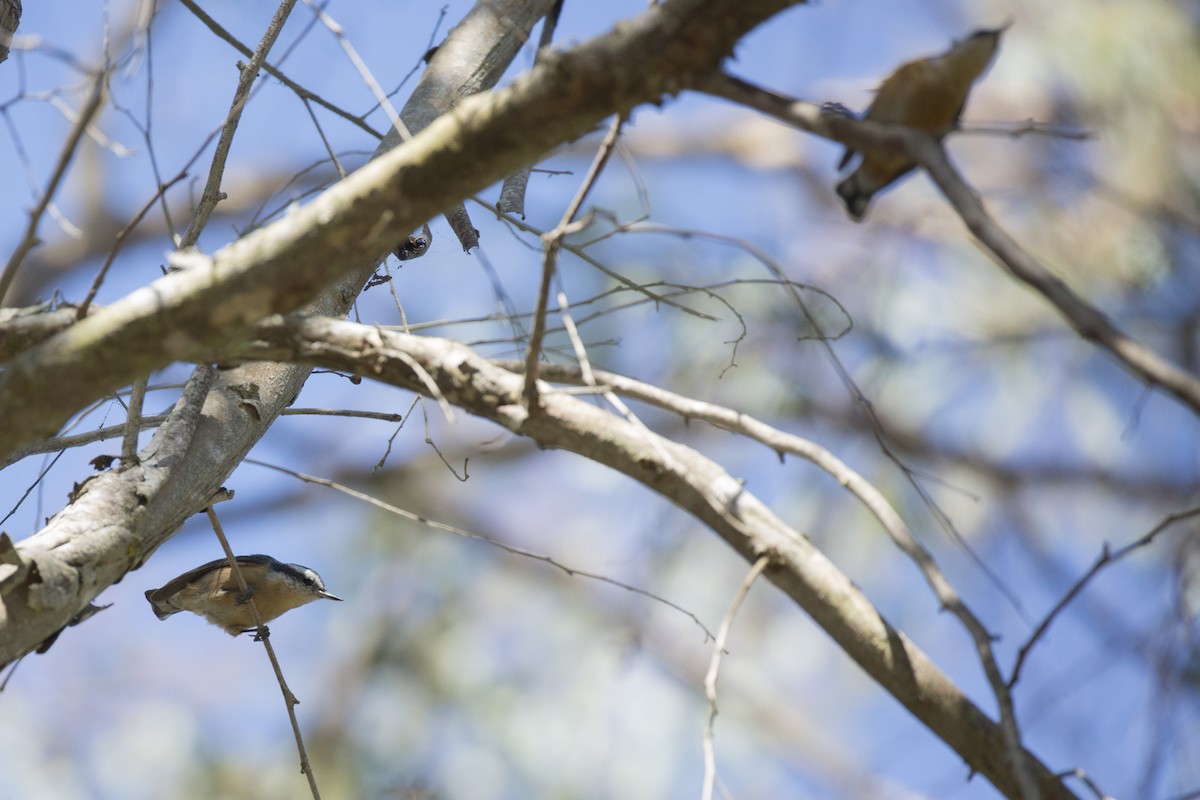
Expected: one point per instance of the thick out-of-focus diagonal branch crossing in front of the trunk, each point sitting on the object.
(280, 268)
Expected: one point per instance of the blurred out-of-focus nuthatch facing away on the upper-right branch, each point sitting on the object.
(928, 95)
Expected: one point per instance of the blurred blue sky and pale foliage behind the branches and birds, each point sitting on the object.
(457, 670)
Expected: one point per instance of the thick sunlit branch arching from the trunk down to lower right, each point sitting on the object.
(685, 478)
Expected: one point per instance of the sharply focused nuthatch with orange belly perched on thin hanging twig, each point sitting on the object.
(212, 592)
